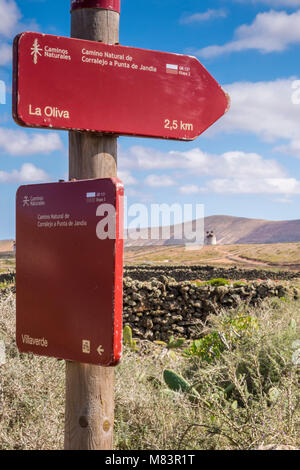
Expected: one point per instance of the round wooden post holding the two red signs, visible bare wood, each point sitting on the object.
(89, 410)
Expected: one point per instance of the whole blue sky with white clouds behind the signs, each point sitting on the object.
(247, 164)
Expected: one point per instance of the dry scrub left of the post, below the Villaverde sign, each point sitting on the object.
(31, 393)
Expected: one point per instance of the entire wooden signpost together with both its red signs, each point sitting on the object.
(62, 83)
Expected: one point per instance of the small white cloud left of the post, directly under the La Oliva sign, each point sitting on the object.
(15, 142)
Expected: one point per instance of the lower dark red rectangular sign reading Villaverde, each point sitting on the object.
(69, 261)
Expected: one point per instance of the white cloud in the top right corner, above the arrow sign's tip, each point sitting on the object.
(271, 31)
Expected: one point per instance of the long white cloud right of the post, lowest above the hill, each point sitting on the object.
(234, 172)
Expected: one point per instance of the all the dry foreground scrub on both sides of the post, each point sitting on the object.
(260, 408)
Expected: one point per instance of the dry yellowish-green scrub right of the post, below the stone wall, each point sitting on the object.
(249, 396)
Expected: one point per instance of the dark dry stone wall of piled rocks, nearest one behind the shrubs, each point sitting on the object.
(162, 307)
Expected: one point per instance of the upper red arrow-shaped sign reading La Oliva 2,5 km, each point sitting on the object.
(74, 84)
